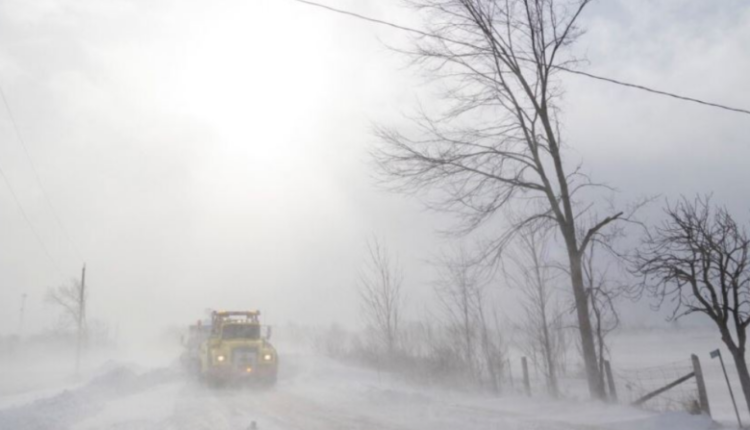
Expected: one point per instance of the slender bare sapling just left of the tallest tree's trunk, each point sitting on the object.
(542, 326)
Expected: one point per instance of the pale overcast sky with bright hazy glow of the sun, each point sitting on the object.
(214, 154)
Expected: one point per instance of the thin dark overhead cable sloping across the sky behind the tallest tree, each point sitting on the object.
(564, 69)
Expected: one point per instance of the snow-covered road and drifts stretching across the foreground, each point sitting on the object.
(313, 393)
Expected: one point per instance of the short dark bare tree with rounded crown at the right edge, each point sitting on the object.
(698, 259)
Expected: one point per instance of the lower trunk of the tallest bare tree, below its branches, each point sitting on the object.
(596, 389)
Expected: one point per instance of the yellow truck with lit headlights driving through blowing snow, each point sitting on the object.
(235, 350)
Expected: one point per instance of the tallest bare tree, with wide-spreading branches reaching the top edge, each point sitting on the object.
(499, 140)
